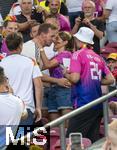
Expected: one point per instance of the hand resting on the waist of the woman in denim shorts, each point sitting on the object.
(64, 82)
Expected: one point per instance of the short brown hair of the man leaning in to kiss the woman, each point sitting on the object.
(44, 28)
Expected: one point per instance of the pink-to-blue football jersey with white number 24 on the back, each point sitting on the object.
(91, 68)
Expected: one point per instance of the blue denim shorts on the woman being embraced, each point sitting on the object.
(59, 98)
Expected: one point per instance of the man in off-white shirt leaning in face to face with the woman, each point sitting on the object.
(46, 34)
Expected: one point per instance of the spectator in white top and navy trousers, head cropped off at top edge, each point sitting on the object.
(74, 10)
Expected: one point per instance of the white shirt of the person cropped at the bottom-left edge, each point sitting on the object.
(11, 109)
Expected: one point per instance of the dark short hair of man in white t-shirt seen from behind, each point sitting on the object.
(13, 41)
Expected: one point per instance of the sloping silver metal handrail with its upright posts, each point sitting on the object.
(60, 121)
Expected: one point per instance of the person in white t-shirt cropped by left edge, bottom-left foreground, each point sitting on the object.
(11, 109)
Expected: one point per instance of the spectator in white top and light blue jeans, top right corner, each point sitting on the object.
(110, 13)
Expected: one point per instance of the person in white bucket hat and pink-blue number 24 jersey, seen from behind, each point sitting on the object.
(87, 72)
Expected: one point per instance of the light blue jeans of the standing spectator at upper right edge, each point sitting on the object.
(111, 29)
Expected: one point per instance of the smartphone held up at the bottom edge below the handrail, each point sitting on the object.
(76, 141)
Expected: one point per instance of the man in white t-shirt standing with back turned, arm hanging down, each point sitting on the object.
(23, 74)
